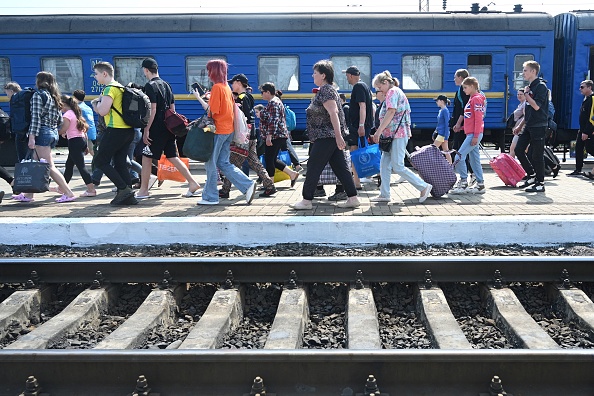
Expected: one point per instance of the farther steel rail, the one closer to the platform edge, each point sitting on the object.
(308, 269)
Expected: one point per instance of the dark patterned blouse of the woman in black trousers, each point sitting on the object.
(319, 125)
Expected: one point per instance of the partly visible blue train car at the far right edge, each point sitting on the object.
(573, 63)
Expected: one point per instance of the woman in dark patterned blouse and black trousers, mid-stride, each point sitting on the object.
(326, 128)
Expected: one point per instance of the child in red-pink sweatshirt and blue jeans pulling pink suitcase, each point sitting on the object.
(474, 113)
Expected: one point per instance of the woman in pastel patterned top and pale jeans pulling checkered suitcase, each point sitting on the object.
(395, 125)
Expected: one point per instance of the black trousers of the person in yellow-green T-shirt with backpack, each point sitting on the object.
(115, 144)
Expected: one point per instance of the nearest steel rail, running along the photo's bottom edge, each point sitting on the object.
(298, 372)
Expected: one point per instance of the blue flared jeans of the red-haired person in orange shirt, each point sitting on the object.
(220, 159)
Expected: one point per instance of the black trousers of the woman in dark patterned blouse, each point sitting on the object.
(324, 151)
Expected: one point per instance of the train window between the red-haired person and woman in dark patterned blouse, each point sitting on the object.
(283, 71)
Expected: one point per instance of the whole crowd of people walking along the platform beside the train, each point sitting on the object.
(333, 127)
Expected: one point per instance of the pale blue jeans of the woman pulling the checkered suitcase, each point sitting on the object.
(394, 160)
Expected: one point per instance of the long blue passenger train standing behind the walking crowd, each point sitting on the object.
(422, 49)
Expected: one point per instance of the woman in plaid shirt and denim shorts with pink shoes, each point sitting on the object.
(43, 132)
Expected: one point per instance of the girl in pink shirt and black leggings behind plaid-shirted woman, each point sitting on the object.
(74, 128)
